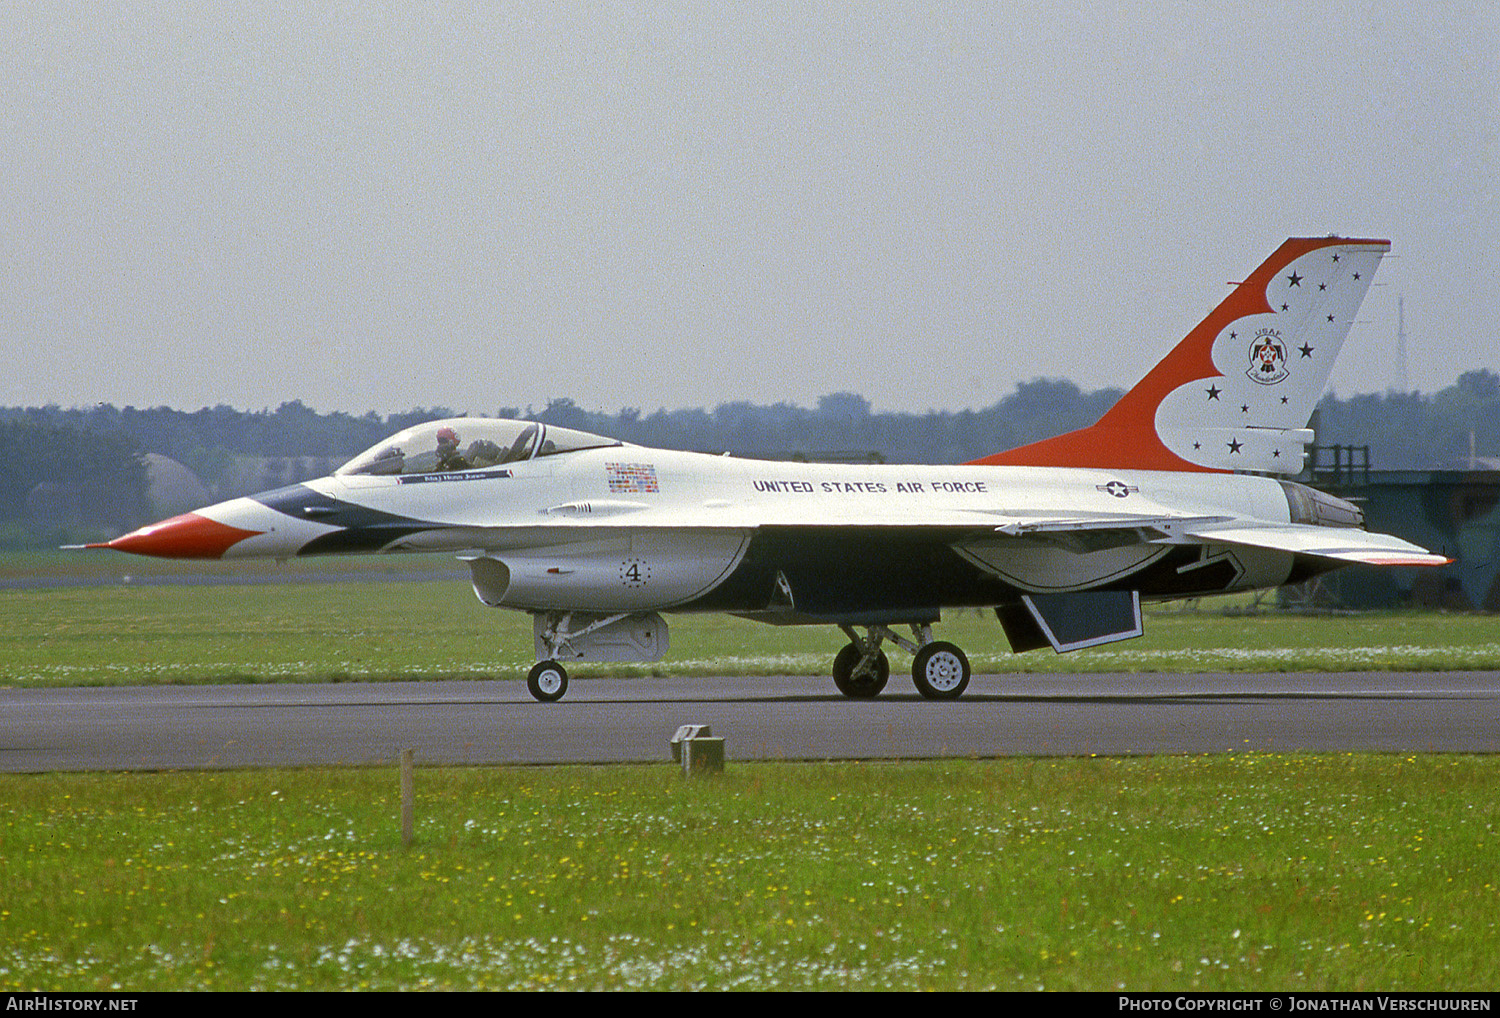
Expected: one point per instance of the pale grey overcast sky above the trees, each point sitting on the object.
(371, 206)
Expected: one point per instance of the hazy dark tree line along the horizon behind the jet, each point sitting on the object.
(95, 457)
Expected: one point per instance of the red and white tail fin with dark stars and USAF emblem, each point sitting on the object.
(1237, 394)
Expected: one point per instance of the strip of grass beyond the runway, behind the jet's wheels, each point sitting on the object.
(377, 630)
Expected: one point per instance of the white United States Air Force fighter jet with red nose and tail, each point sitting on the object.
(1169, 496)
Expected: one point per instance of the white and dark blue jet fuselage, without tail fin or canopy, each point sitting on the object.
(637, 530)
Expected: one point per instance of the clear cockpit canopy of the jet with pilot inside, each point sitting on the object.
(467, 443)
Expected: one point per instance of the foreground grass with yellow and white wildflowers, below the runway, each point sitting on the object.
(1175, 873)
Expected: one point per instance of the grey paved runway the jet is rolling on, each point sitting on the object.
(761, 719)
